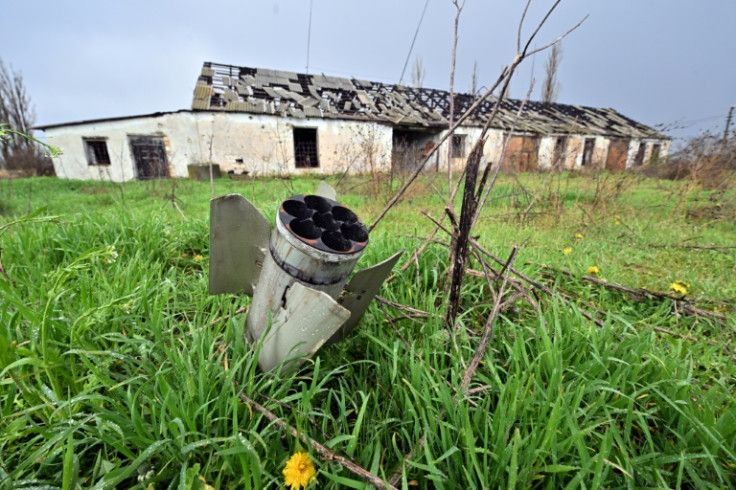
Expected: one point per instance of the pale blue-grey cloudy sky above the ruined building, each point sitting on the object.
(661, 62)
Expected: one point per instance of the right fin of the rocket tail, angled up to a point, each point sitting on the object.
(360, 291)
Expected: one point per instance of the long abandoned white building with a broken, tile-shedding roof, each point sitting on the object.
(266, 122)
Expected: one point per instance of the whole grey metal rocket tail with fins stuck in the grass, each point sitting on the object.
(300, 271)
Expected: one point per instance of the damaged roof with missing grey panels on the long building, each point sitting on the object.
(263, 91)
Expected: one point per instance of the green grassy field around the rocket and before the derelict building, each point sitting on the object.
(118, 370)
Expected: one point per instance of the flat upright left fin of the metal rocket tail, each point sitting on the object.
(238, 243)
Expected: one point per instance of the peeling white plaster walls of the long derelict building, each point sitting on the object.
(264, 145)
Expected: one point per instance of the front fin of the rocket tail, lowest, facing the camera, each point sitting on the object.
(301, 325)
